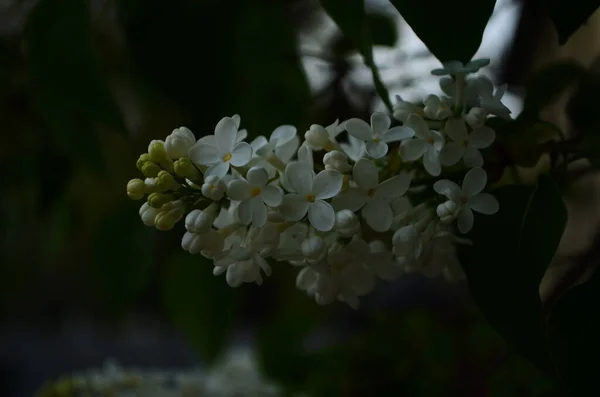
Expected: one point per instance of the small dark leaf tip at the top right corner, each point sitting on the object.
(568, 16)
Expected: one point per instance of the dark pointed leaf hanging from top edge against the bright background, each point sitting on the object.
(452, 30)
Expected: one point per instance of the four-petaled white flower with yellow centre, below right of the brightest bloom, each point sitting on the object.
(254, 195)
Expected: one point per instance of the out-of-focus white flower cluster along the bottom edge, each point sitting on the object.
(237, 375)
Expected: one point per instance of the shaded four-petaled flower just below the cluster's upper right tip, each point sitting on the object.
(464, 145)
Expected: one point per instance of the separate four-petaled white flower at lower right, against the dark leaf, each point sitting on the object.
(469, 198)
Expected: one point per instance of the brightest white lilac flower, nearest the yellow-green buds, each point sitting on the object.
(221, 151)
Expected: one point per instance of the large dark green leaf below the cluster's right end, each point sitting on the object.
(510, 254)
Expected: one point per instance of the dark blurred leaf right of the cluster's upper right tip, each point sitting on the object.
(548, 83)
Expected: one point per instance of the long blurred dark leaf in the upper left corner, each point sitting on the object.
(69, 88)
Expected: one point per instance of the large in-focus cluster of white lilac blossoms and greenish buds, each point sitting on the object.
(374, 205)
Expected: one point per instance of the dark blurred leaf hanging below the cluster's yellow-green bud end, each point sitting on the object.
(201, 305)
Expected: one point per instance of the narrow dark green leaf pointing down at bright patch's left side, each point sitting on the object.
(350, 16)
